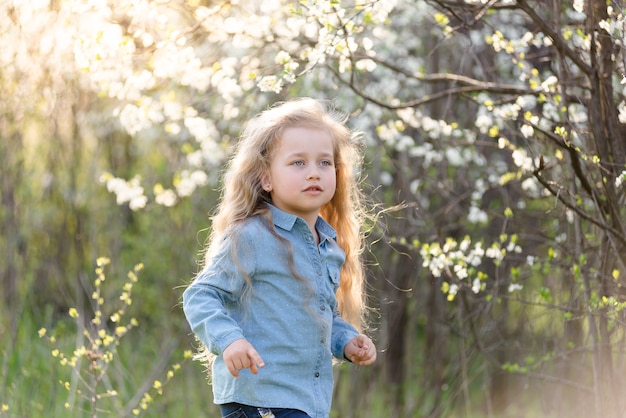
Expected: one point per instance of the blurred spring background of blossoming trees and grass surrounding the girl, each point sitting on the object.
(495, 156)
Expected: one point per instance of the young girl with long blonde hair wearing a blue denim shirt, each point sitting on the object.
(282, 263)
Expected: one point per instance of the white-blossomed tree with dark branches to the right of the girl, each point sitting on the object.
(521, 197)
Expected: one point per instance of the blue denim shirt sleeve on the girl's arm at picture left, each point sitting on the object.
(210, 303)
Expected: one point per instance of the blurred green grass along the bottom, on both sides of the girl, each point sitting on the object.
(31, 387)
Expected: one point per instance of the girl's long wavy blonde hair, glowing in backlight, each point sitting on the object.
(243, 196)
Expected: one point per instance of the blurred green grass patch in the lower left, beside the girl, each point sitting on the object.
(33, 385)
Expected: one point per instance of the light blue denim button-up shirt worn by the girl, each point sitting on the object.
(293, 324)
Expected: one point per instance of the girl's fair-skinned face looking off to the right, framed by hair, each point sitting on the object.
(301, 177)
